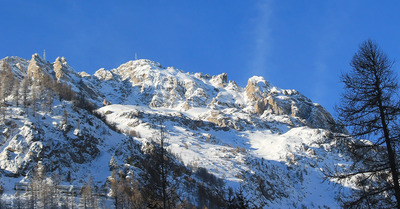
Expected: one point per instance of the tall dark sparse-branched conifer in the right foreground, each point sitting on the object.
(370, 109)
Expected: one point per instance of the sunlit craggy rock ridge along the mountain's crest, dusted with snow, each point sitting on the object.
(144, 82)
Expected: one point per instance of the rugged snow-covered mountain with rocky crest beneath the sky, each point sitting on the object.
(273, 144)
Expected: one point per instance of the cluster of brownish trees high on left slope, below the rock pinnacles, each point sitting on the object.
(35, 93)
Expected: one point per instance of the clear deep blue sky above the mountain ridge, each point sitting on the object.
(302, 45)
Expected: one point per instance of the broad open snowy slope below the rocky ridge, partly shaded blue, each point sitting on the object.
(240, 156)
